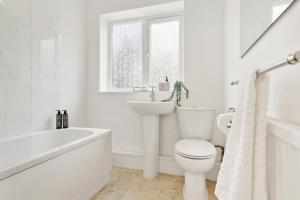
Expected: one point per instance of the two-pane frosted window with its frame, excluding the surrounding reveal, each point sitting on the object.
(144, 51)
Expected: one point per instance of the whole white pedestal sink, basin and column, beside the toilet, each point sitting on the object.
(150, 112)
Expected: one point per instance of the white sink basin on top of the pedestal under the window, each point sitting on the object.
(152, 108)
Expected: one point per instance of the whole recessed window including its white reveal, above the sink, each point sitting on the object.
(141, 46)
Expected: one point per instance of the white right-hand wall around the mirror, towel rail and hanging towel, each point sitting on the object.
(282, 39)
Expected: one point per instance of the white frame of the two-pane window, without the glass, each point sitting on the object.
(146, 23)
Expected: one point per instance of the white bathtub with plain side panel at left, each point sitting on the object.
(70, 164)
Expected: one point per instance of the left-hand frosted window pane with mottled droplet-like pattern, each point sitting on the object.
(127, 55)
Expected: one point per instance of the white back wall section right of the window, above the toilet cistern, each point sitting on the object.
(204, 64)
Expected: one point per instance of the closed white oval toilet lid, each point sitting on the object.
(195, 148)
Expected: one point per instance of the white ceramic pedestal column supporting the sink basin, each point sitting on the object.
(150, 145)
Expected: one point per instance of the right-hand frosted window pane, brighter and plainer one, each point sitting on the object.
(164, 51)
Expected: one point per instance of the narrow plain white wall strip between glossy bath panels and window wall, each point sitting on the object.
(74, 60)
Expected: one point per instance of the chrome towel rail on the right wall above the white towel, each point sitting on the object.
(292, 59)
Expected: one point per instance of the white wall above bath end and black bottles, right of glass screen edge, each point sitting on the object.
(59, 75)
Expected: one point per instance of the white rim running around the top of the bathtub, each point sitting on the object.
(55, 152)
